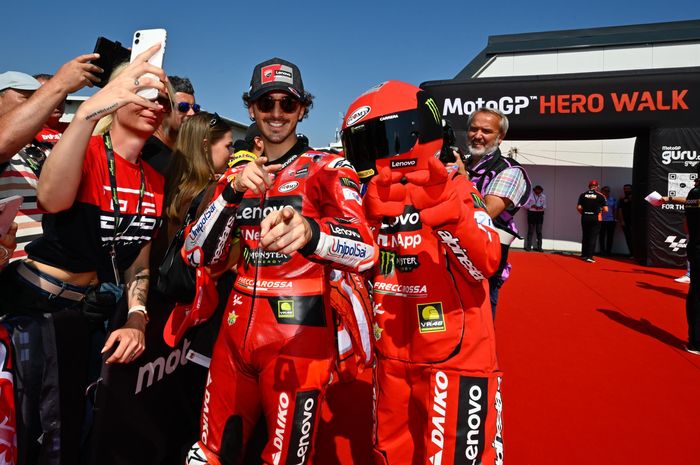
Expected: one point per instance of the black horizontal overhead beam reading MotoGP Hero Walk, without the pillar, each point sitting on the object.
(582, 106)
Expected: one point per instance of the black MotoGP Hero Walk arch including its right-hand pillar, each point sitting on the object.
(659, 107)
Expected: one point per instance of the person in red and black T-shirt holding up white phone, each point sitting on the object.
(103, 207)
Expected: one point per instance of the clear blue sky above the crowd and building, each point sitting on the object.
(342, 49)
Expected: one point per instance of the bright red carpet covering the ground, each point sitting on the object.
(594, 365)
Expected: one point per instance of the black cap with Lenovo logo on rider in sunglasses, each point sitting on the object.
(276, 74)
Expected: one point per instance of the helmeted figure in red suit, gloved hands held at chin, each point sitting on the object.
(437, 380)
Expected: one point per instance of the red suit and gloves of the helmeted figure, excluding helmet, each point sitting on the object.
(437, 381)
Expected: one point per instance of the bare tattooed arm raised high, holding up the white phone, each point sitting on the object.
(61, 173)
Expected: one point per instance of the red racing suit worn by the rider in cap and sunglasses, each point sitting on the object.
(276, 346)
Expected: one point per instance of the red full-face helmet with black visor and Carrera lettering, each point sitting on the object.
(391, 120)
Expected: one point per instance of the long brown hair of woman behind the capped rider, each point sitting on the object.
(191, 166)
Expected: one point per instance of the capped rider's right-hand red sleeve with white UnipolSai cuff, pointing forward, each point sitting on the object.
(339, 231)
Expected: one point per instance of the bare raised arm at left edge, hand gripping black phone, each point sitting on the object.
(21, 124)
